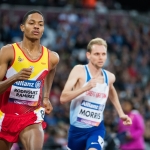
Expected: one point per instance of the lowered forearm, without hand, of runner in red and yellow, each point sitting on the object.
(48, 83)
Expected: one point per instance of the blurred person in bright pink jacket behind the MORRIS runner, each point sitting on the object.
(131, 137)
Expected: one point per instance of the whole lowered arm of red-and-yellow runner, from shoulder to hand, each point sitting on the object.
(54, 59)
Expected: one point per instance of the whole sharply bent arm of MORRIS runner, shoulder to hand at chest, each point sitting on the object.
(69, 92)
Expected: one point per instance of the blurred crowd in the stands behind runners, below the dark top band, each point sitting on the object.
(68, 33)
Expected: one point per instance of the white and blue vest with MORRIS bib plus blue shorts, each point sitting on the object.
(86, 116)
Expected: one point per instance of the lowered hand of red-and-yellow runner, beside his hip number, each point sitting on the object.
(47, 105)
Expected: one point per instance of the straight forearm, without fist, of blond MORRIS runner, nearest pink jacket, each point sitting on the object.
(114, 99)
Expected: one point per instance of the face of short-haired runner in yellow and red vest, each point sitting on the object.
(34, 26)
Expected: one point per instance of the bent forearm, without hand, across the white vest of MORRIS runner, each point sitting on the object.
(68, 96)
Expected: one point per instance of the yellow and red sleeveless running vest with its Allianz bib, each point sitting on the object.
(25, 96)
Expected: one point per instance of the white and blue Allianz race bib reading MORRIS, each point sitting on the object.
(90, 113)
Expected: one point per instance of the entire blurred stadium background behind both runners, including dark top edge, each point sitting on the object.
(69, 26)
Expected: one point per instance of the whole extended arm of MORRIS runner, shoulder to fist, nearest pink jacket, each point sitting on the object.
(115, 100)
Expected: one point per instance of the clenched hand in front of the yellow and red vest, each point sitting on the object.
(24, 74)
